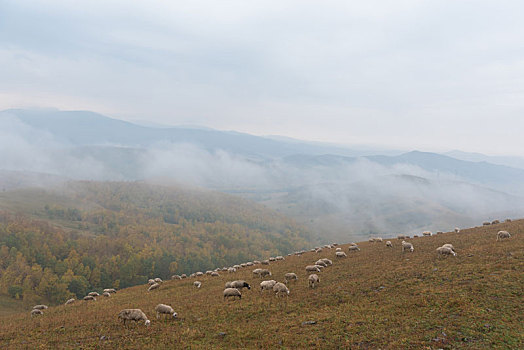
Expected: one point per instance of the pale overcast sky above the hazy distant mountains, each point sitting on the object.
(428, 75)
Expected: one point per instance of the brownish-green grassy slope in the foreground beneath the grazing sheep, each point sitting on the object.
(375, 298)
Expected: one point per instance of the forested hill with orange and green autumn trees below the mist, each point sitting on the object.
(85, 235)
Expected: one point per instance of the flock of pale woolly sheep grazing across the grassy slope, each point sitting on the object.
(233, 289)
